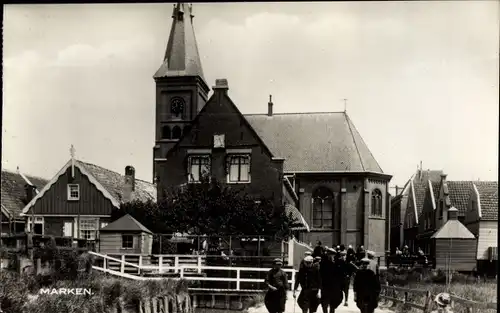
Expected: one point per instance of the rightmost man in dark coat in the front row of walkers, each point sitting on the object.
(366, 288)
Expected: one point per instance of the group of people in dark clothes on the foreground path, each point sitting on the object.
(325, 277)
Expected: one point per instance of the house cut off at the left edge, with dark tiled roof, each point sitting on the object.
(17, 190)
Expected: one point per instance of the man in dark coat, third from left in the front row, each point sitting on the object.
(331, 279)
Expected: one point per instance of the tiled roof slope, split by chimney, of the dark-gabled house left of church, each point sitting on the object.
(114, 183)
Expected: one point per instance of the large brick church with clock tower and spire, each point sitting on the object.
(316, 162)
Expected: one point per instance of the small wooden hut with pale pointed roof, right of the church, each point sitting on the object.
(455, 245)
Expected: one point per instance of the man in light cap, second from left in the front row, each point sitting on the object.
(309, 279)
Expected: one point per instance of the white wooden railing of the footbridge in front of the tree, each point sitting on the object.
(121, 267)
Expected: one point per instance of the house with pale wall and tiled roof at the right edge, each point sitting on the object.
(481, 219)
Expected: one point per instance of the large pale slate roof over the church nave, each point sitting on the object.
(315, 142)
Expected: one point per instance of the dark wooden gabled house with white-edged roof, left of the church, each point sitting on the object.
(80, 198)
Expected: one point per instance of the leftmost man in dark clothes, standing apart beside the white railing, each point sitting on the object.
(277, 282)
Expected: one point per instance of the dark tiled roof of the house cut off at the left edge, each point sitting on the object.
(13, 191)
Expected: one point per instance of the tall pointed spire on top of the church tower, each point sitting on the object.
(181, 56)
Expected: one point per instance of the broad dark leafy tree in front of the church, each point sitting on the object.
(213, 209)
